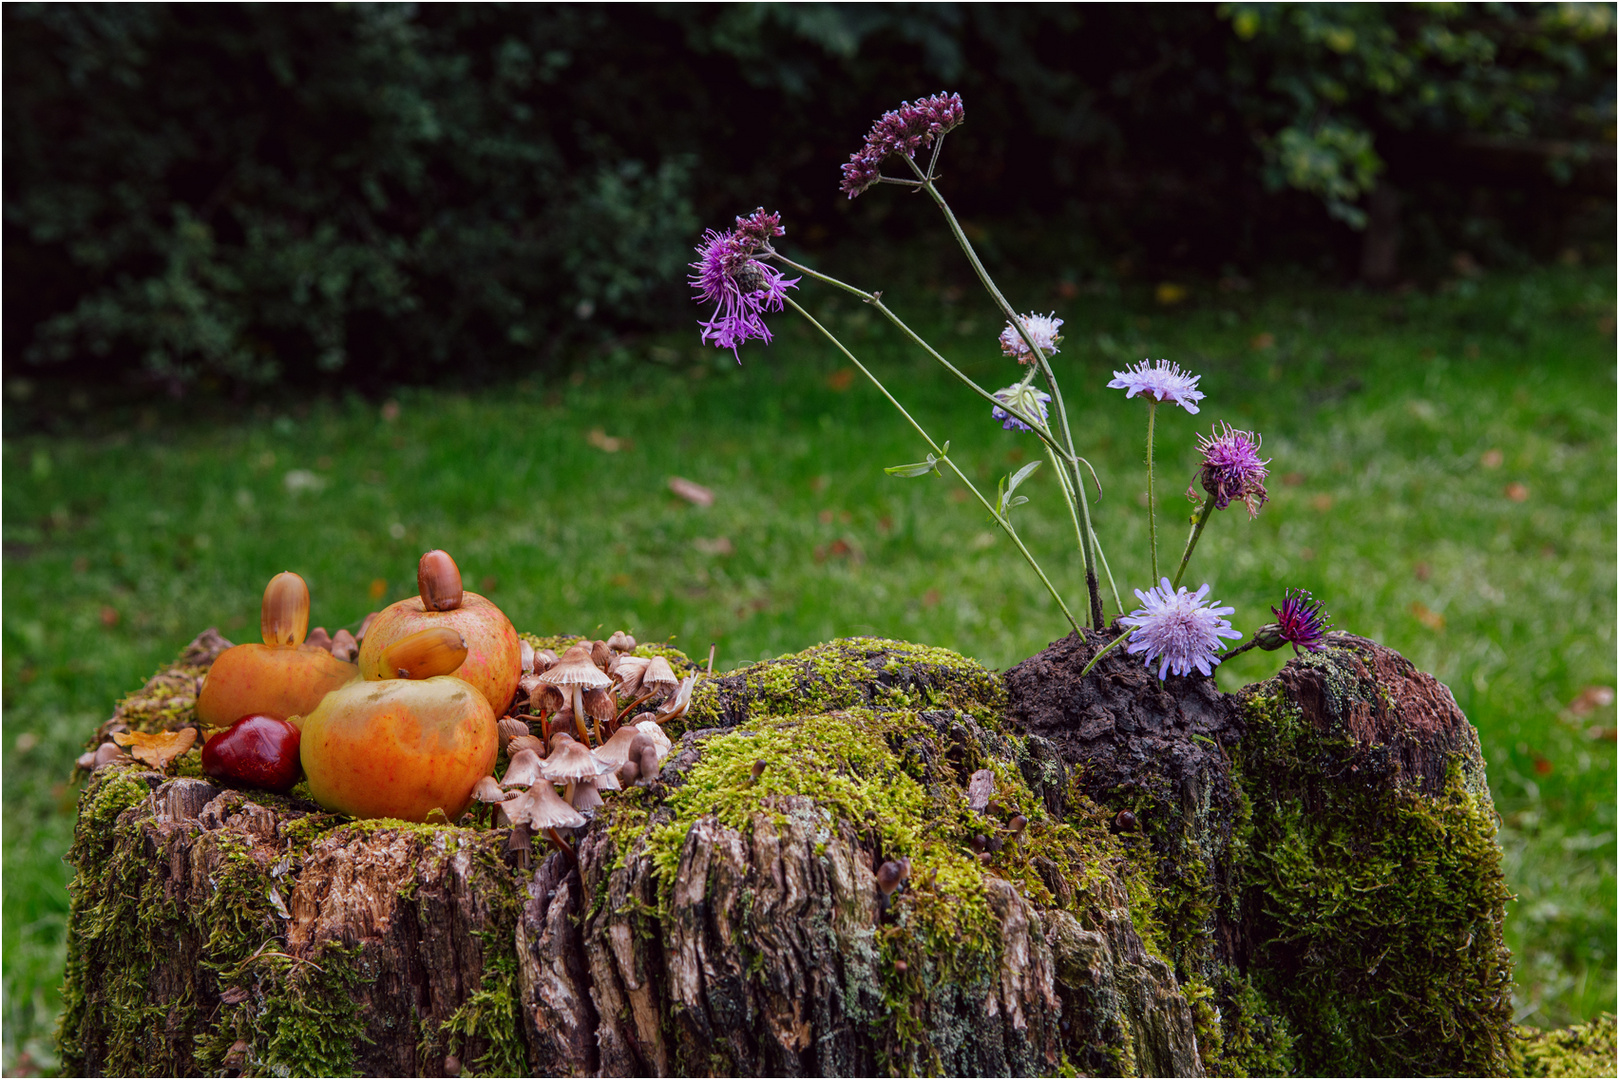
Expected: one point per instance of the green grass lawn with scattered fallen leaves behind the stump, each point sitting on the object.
(1443, 478)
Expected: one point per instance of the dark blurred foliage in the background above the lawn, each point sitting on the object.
(360, 195)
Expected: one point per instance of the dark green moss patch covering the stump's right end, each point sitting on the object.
(1375, 909)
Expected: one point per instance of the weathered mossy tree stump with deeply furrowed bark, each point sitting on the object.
(1111, 877)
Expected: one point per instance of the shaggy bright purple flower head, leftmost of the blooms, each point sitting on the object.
(741, 289)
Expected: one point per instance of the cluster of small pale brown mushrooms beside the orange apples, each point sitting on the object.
(600, 713)
